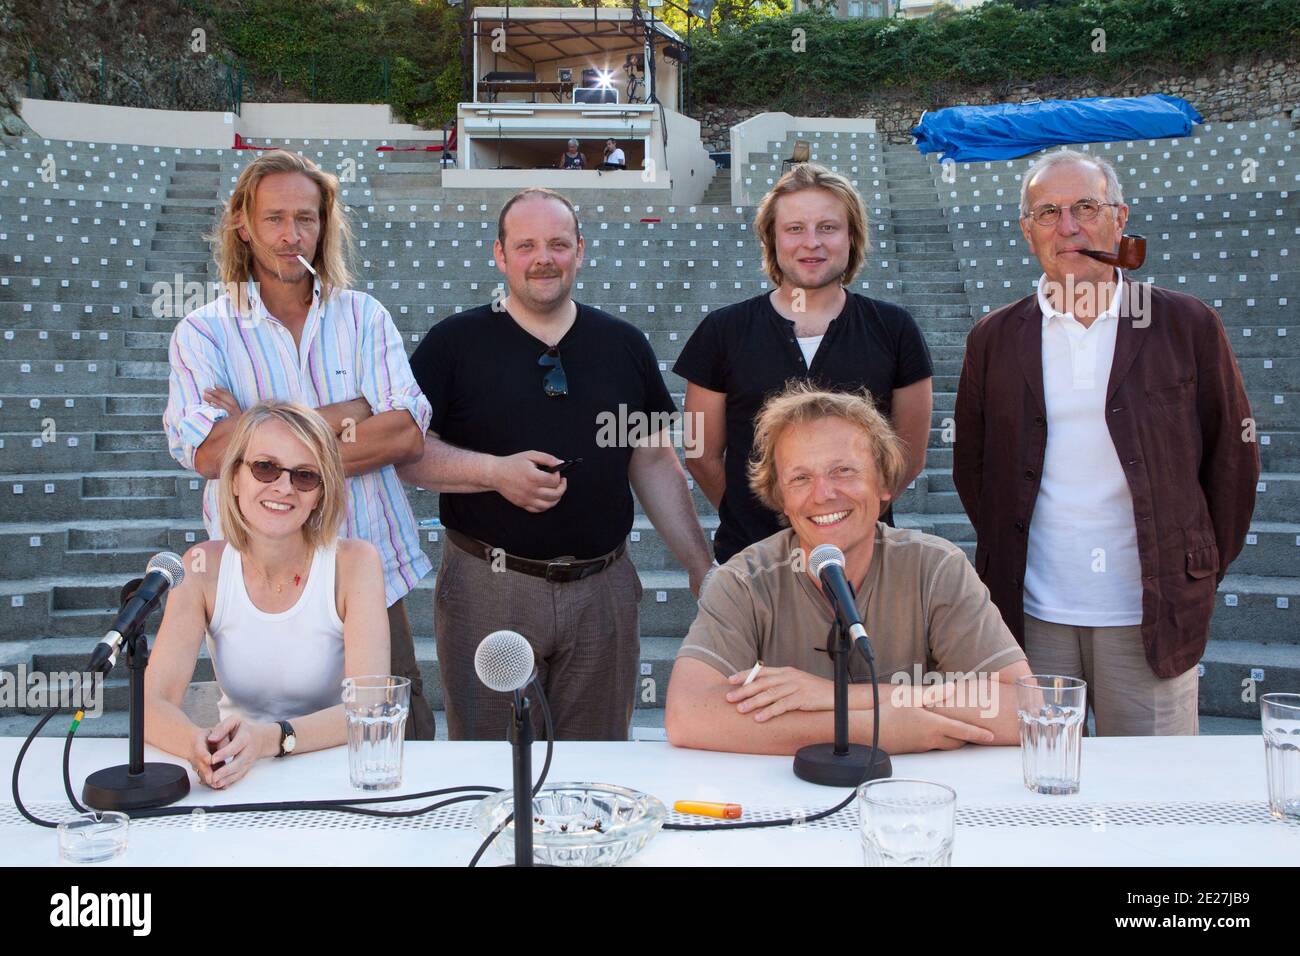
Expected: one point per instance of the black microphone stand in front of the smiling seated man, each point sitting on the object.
(843, 764)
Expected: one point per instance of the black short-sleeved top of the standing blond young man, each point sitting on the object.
(749, 351)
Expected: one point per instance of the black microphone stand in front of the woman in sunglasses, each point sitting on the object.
(137, 785)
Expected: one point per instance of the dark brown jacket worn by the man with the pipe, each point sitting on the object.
(1177, 413)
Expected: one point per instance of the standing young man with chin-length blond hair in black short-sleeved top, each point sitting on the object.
(813, 228)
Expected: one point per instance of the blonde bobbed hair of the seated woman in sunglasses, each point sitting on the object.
(309, 427)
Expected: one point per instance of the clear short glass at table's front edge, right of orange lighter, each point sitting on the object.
(907, 823)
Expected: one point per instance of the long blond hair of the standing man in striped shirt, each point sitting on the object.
(235, 257)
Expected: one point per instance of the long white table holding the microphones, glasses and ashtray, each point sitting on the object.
(1163, 802)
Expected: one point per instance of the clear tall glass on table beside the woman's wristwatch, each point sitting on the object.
(376, 707)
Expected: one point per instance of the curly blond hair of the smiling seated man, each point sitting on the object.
(800, 404)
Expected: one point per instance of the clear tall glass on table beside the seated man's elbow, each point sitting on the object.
(1052, 711)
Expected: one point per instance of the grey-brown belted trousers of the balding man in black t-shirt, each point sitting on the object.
(586, 641)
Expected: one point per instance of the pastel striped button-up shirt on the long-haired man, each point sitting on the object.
(350, 348)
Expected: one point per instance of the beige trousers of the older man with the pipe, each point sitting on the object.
(1128, 699)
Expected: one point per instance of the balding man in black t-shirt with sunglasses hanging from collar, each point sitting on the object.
(526, 551)
